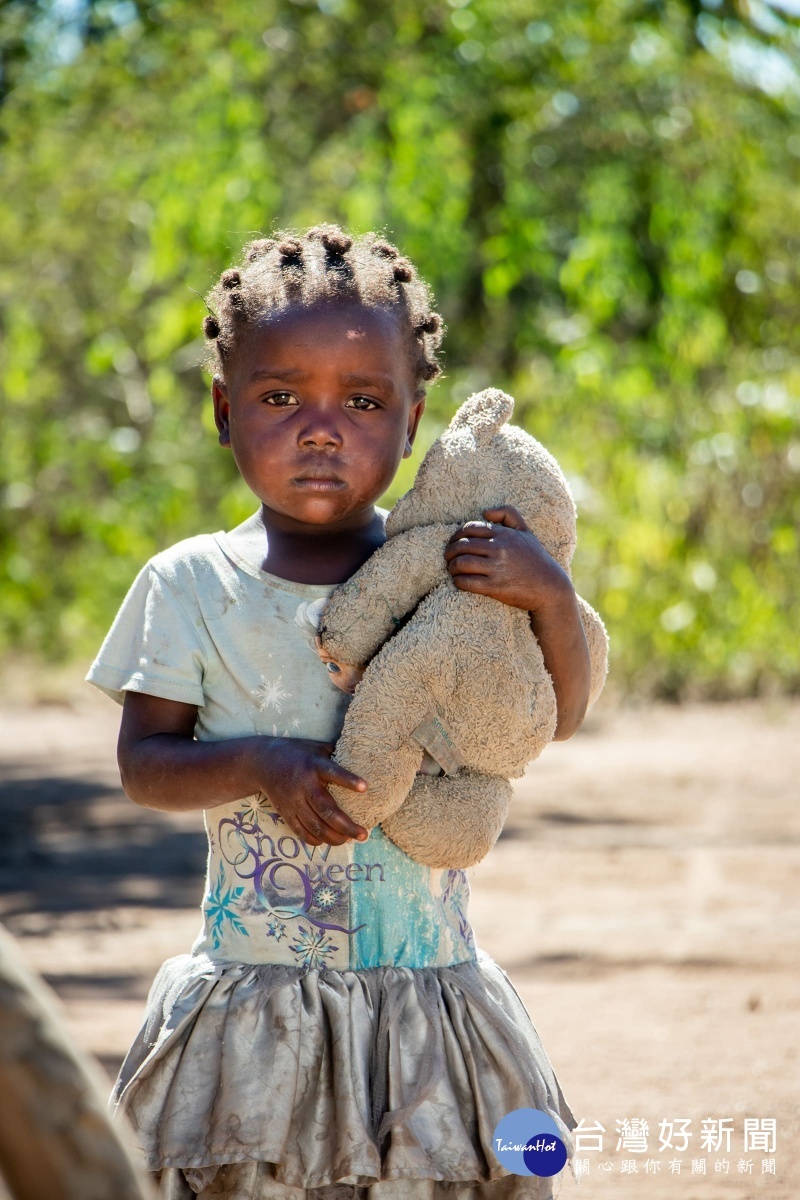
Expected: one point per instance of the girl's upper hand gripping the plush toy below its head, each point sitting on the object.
(506, 561)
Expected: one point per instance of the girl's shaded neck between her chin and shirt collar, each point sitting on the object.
(315, 555)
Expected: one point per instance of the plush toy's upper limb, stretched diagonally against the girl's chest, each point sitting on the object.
(366, 610)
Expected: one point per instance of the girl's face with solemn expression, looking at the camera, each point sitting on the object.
(318, 407)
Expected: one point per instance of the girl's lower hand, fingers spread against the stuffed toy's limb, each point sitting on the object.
(296, 777)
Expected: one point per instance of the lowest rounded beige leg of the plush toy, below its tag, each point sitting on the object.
(452, 821)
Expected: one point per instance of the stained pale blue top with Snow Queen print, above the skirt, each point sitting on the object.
(208, 628)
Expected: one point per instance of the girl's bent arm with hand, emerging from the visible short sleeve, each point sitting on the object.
(164, 767)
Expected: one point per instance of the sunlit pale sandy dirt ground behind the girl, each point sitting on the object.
(645, 899)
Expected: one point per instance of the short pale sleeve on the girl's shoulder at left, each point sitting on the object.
(153, 647)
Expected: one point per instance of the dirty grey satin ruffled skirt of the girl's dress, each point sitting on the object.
(272, 1083)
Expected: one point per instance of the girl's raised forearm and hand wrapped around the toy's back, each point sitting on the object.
(507, 561)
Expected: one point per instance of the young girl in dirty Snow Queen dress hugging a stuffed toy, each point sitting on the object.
(335, 1031)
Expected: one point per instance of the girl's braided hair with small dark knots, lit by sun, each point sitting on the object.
(323, 266)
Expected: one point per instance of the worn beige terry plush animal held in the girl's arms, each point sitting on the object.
(459, 689)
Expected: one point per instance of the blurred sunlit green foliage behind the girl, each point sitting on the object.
(603, 195)
